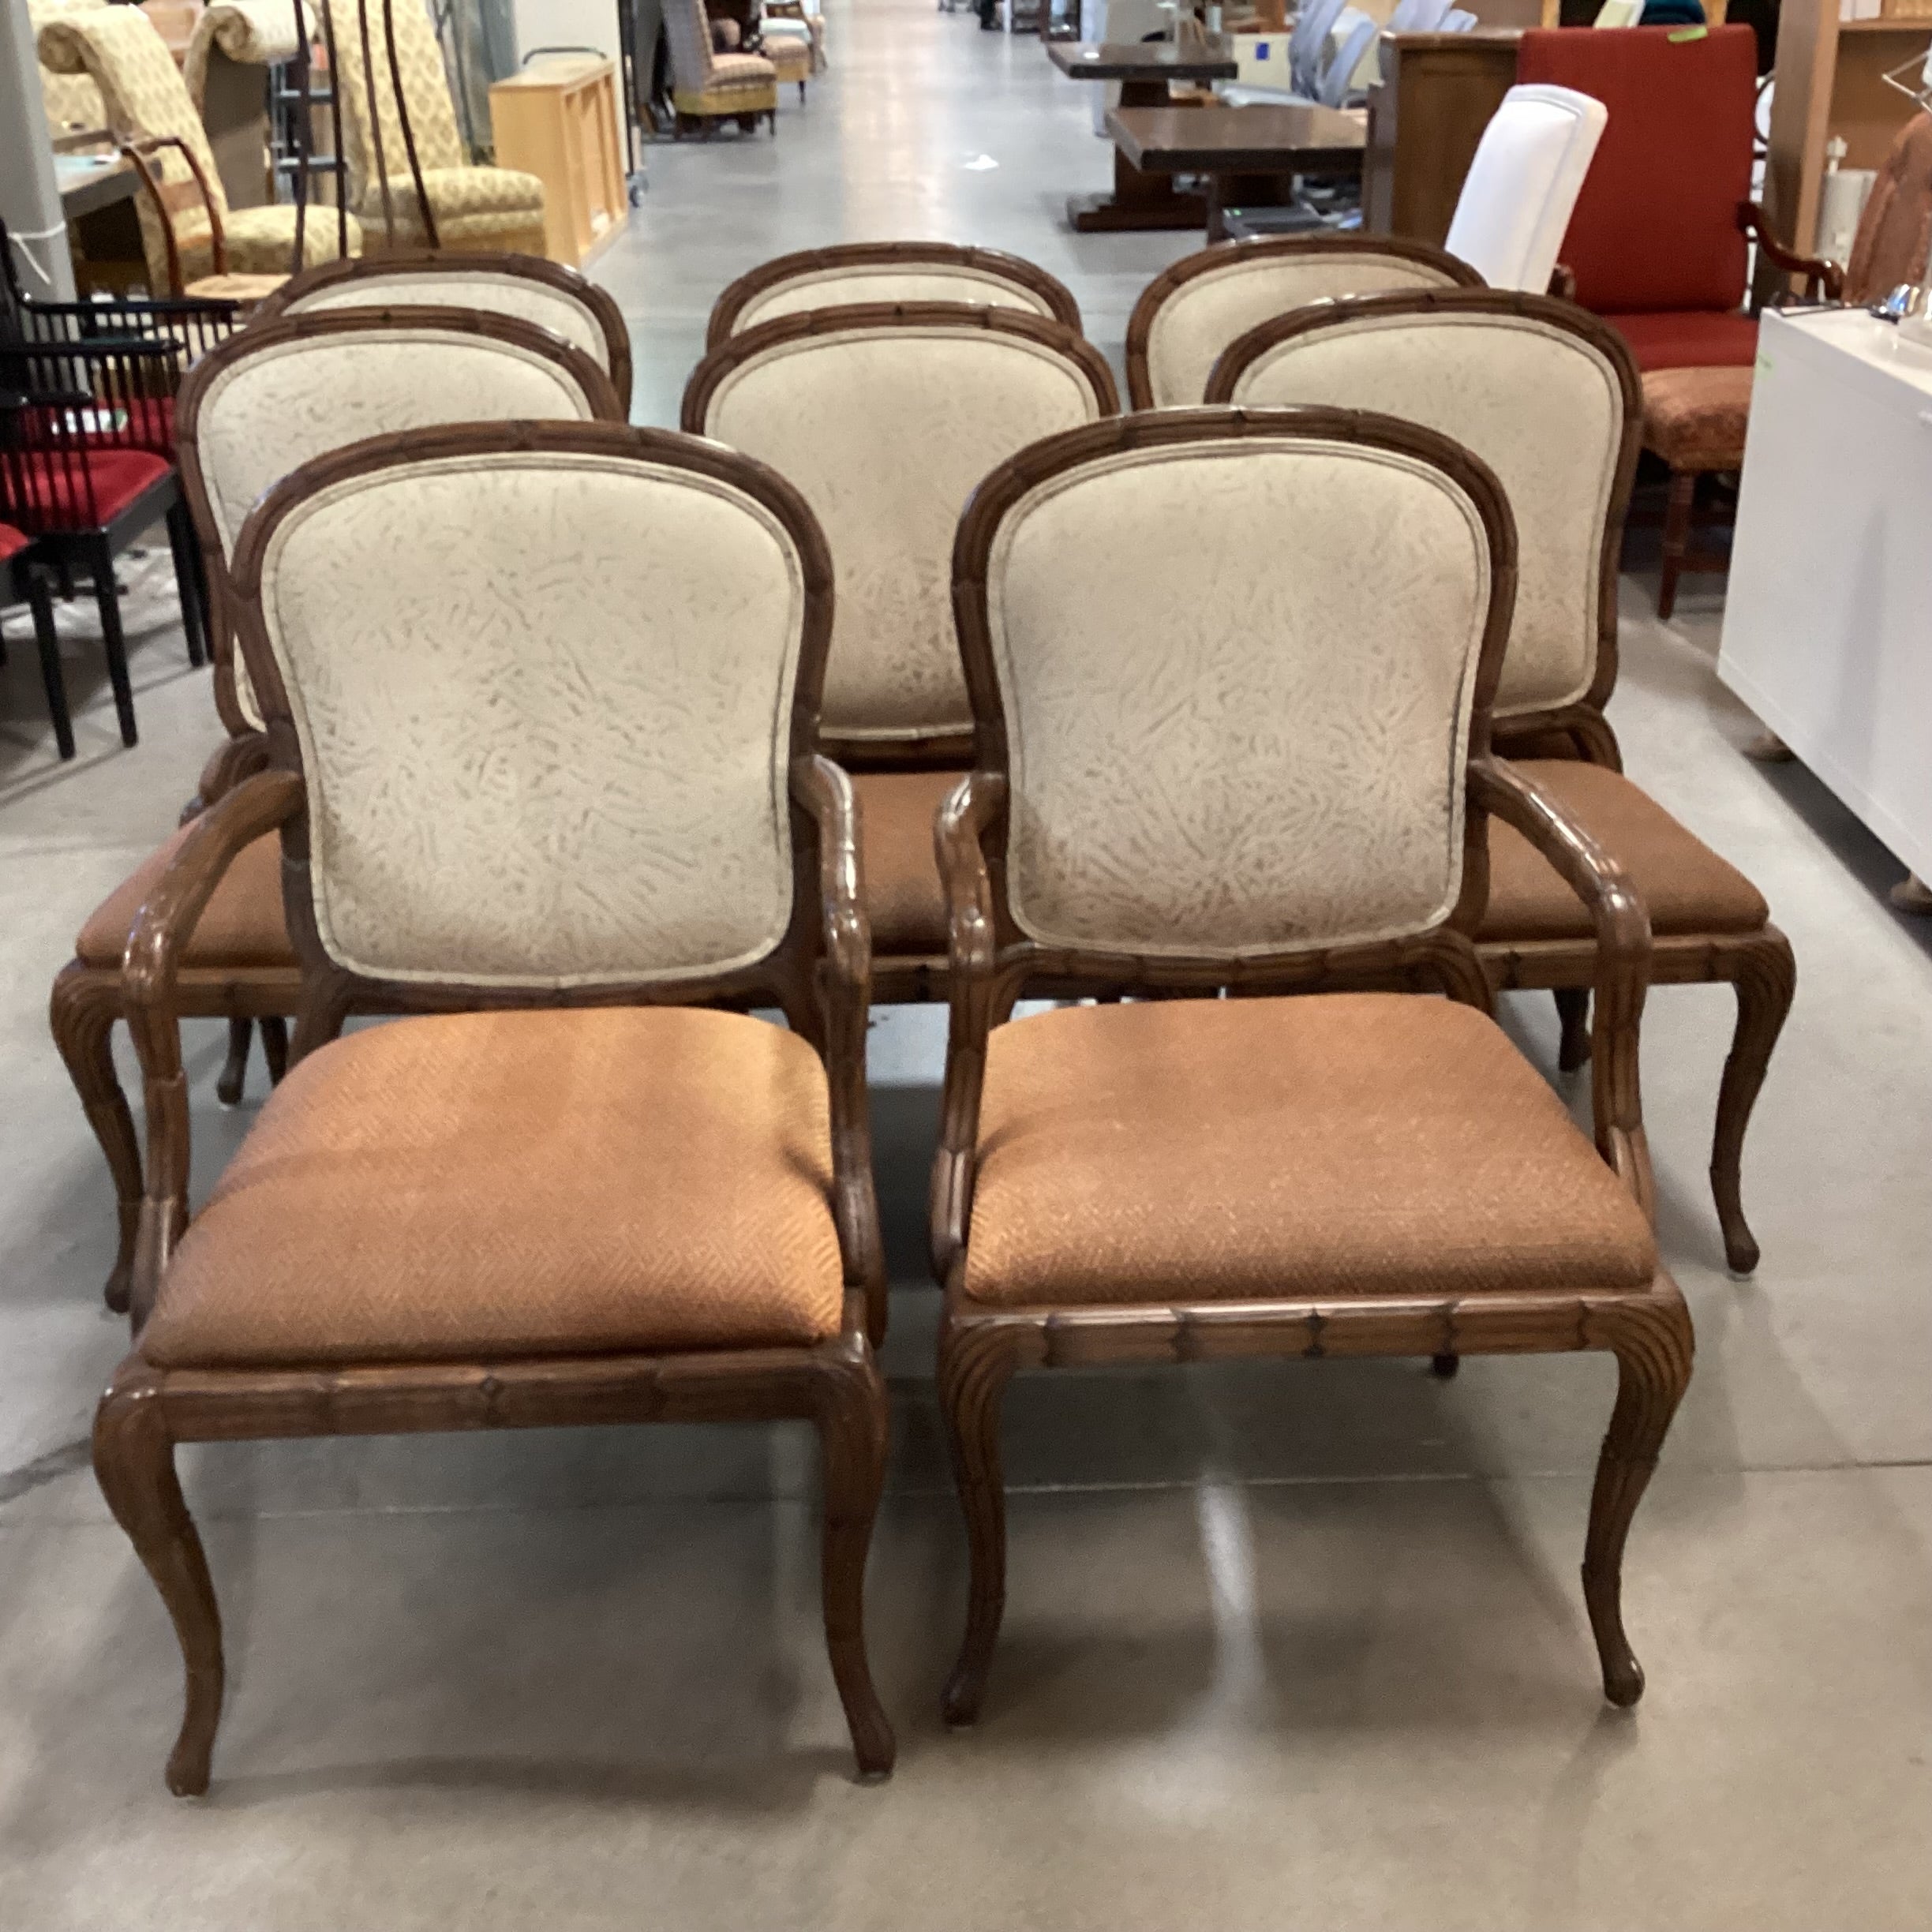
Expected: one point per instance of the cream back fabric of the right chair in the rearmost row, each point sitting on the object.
(1205, 316)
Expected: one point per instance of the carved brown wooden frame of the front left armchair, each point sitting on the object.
(818, 975)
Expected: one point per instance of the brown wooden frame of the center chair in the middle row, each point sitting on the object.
(897, 977)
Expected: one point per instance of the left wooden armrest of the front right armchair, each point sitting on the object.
(971, 810)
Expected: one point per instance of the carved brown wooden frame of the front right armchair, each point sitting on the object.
(980, 1346)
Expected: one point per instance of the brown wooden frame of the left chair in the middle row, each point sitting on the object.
(90, 1000)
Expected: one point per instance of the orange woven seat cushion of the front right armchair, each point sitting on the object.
(1322, 1147)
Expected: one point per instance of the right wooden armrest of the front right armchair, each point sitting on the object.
(1622, 959)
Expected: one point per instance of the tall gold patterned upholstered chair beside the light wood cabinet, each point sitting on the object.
(469, 208)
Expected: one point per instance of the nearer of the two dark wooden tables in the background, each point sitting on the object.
(1243, 152)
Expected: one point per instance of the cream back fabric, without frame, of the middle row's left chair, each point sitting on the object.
(271, 412)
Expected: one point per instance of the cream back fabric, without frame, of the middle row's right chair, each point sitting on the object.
(1541, 407)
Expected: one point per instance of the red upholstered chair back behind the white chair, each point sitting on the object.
(1657, 221)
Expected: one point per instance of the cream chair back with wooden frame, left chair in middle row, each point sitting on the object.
(285, 393)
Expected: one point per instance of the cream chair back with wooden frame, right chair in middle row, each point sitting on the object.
(1543, 393)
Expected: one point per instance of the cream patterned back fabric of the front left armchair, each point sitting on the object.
(544, 710)
